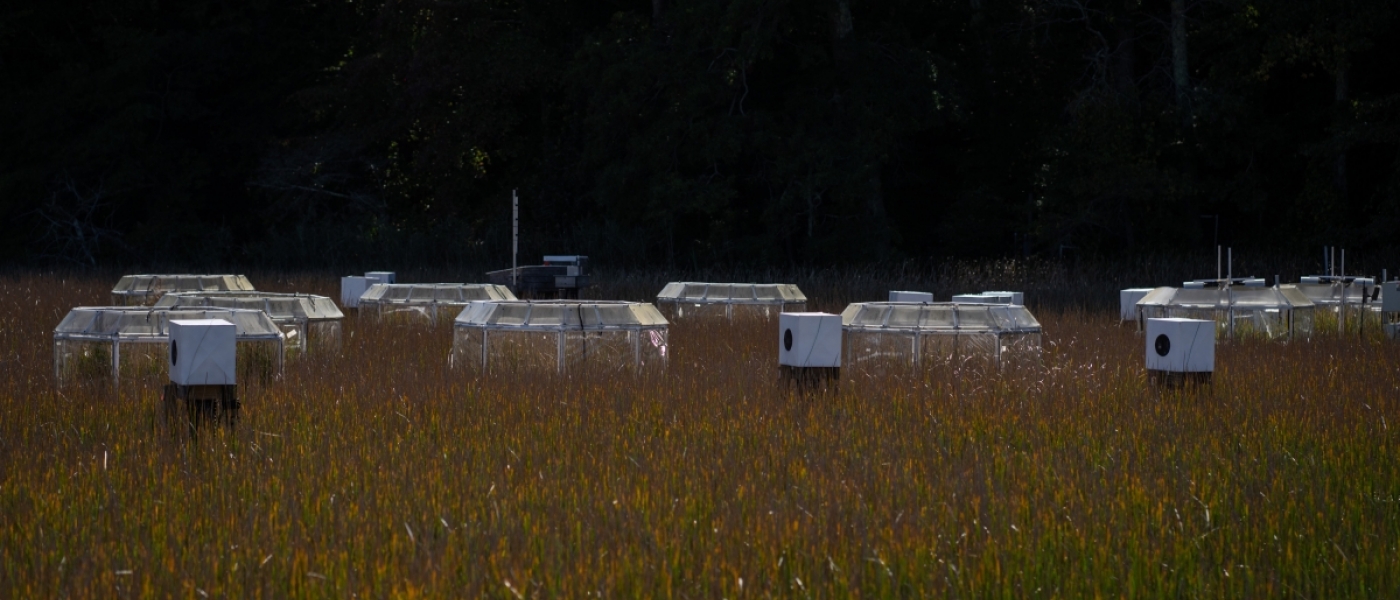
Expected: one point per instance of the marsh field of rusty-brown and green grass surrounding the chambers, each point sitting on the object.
(381, 473)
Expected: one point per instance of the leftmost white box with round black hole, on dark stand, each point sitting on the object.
(202, 353)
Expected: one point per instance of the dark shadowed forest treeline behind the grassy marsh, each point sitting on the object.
(295, 134)
